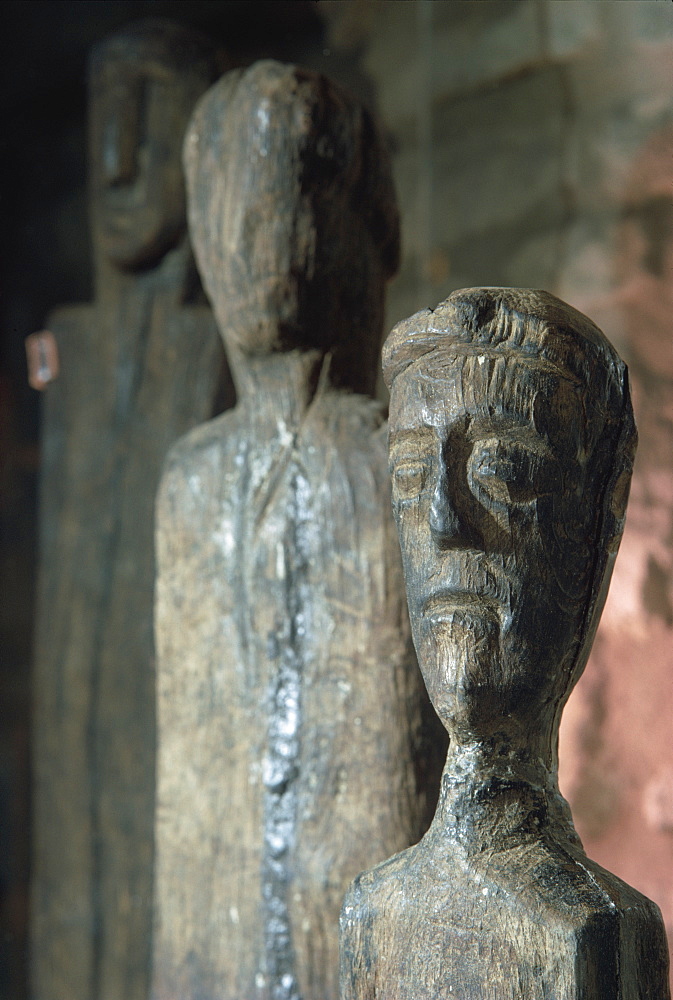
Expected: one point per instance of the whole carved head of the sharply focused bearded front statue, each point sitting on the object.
(511, 447)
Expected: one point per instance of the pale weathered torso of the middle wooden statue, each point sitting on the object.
(288, 696)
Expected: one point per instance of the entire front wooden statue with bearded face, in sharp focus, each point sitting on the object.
(511, 444)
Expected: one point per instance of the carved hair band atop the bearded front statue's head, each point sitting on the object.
(527, 324)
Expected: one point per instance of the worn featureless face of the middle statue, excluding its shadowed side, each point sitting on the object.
(286, 259)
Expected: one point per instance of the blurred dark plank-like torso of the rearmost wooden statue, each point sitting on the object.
(108, 420)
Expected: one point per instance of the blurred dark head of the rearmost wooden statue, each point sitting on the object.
(144, 82)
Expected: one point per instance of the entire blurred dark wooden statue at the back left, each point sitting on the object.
(139, 367)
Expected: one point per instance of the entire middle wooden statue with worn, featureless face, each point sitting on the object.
(289, 703)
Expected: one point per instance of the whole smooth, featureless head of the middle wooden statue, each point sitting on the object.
(292, 211)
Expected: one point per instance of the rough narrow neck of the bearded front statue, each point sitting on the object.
(496, 795)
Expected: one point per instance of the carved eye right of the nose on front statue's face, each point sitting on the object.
(512, 474)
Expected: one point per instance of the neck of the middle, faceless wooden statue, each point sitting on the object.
(280, 386)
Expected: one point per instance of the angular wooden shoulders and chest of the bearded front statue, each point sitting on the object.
(539, 922)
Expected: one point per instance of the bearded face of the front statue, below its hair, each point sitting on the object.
(488, 498)
